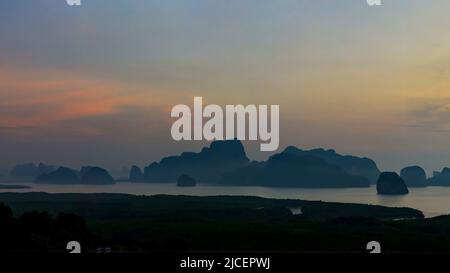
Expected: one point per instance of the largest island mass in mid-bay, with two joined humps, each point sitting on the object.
(226, 163)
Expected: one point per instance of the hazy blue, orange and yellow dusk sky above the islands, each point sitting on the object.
(94, 85)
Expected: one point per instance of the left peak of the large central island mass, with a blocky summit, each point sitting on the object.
(206, 166)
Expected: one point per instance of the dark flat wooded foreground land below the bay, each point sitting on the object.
(126, 223)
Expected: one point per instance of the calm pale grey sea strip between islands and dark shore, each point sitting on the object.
(432, 201)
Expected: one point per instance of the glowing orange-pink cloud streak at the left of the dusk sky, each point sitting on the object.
(36, 98)
